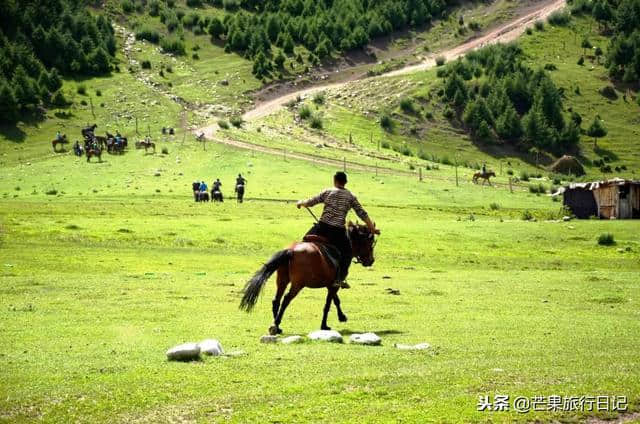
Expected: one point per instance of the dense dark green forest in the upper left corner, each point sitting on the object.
(41, 40)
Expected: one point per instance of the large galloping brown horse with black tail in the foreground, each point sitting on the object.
(304, 265)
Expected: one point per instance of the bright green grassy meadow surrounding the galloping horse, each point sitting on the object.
(100, 278)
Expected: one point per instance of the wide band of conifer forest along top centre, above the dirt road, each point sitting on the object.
(253, 27)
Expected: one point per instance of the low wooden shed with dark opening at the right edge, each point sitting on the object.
(610, 199)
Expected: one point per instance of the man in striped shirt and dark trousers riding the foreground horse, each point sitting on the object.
(338, 201)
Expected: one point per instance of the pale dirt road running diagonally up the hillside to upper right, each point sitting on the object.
(503, 34)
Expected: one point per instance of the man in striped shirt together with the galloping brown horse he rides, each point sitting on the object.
(309, 263)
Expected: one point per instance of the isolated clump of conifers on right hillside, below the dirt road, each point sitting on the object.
(497, 96)
